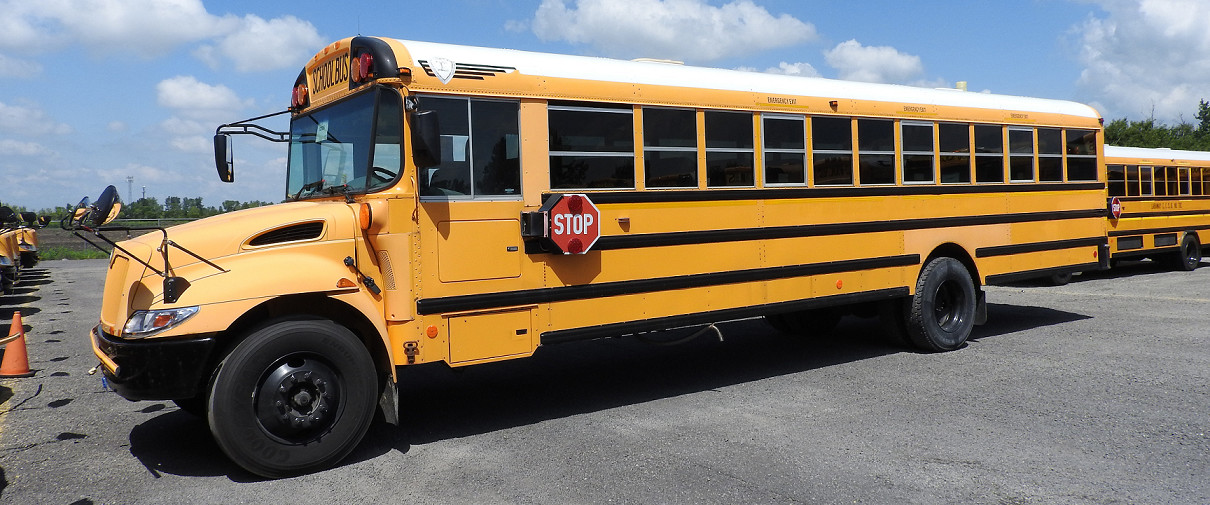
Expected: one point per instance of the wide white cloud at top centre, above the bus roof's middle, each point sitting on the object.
(678, 30)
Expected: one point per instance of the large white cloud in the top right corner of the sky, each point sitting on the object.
(1148, 58)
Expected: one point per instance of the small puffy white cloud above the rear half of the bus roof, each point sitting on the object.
(856, 62)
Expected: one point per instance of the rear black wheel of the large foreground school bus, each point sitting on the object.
(943, 311)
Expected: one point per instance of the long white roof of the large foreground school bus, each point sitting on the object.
(665, 74)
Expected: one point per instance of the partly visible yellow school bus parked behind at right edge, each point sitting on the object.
(1160, 203)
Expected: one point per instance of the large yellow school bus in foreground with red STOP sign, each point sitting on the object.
(465, 205)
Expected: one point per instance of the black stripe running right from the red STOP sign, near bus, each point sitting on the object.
(734, 236)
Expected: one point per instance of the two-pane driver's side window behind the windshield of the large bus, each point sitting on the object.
(480, 150)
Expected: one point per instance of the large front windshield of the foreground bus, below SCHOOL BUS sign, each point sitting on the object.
(331, 148)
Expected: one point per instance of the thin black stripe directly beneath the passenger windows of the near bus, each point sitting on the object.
(689, 196)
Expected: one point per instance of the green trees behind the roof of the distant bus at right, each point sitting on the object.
(1149, 134)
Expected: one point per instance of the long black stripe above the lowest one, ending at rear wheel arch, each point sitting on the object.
(527, 297)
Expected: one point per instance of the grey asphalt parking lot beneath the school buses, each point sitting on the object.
(1093, 393)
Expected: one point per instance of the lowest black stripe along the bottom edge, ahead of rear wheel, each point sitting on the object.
(621, 329)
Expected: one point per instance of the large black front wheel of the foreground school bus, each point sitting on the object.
(313, 393)
